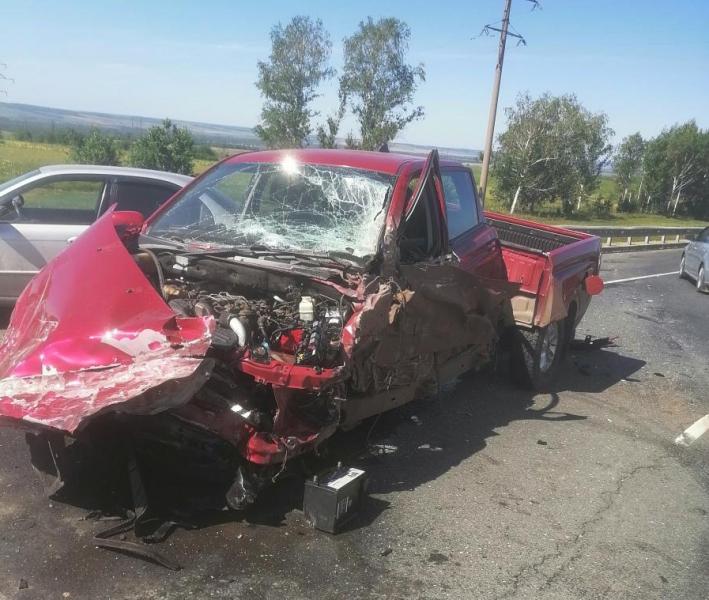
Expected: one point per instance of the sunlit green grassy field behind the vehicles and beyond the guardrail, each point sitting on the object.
(18, 157)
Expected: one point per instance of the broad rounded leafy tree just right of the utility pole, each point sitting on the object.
(553, 148)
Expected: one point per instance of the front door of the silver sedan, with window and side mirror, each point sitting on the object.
(52, 213)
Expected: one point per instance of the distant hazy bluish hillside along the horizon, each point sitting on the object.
(42, 118)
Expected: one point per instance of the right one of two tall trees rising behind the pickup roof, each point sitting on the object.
(377, 84)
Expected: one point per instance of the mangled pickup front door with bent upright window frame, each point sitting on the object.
(445, 321)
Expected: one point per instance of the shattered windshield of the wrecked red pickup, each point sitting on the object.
(286, 206)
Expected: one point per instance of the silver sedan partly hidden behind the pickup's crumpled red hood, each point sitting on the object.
(44, 210)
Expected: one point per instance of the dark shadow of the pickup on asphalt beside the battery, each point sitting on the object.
(421, 441)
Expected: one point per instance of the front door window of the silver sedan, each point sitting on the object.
(65, 201)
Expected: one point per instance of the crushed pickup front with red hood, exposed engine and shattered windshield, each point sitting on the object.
(186, 347)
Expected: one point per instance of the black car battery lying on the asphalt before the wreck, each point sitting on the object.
(334, 497)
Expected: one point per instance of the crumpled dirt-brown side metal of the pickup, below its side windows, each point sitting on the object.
(441, 308)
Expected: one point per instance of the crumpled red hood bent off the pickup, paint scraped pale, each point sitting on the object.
(90, 332)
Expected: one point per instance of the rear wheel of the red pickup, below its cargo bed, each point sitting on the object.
(537, 354)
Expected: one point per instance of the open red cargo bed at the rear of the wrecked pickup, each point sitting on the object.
(549, 264)
